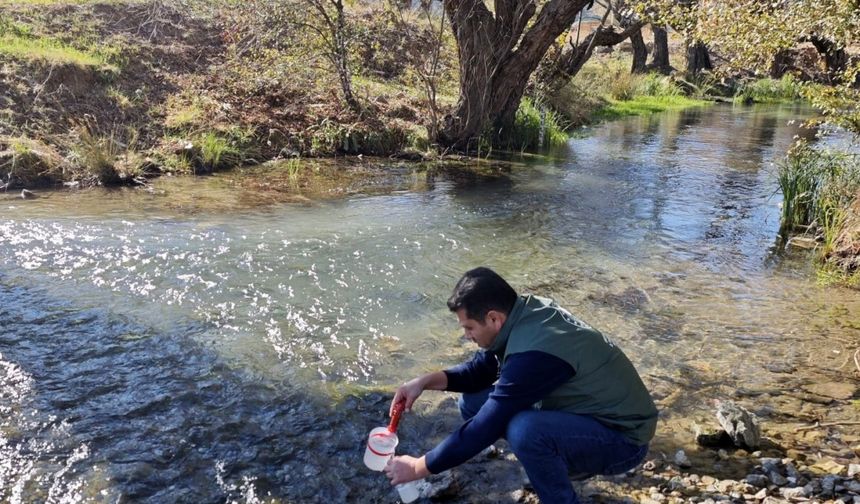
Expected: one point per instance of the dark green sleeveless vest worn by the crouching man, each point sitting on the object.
(606, 386)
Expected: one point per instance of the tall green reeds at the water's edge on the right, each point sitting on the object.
(817, 186)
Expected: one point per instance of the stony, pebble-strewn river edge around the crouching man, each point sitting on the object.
(817, 462)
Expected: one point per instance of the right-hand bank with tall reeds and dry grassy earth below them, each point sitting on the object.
(821, 205)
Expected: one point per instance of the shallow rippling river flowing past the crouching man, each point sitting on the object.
(212, 340)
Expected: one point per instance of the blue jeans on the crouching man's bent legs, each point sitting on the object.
(552, 444)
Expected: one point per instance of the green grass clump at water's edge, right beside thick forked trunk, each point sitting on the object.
(537, 125)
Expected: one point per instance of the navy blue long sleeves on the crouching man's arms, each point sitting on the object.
(525, 379)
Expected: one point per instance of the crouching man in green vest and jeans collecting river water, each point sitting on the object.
(567, 400)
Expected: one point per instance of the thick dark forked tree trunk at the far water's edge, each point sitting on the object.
(497, 55)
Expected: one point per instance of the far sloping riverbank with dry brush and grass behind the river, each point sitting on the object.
(107, 93)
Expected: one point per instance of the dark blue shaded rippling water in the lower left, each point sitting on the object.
(99, 407)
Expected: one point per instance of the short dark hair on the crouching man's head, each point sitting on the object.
(481, 290)
